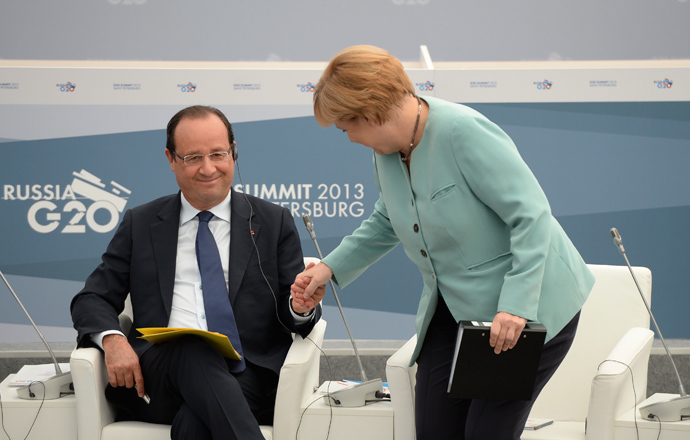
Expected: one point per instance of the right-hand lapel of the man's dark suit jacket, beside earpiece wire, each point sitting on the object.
(241, 243)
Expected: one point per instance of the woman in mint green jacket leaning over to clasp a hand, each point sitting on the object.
(469, 213)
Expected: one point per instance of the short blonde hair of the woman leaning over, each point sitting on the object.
(361, 81)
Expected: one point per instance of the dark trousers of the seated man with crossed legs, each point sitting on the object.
(192, 389)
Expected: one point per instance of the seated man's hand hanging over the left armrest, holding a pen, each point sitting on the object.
(122, 364)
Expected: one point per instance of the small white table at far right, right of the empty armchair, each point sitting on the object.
(649, 430)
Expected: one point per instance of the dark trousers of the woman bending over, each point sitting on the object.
(439, 417)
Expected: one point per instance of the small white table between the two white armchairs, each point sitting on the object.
(370, 422)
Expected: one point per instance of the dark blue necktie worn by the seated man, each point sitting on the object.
(219, 315)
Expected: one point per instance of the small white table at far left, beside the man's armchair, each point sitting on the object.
(57, 418)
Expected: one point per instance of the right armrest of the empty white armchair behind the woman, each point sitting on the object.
(620, 383)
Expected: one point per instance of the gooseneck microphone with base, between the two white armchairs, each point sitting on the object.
(358, 394)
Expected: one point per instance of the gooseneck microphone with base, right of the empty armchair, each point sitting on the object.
(671, 410)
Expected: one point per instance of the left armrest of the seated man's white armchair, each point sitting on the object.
(90, 378)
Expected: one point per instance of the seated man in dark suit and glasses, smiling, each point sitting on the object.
(152, 257)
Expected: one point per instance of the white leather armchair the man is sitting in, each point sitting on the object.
(299, 377)
